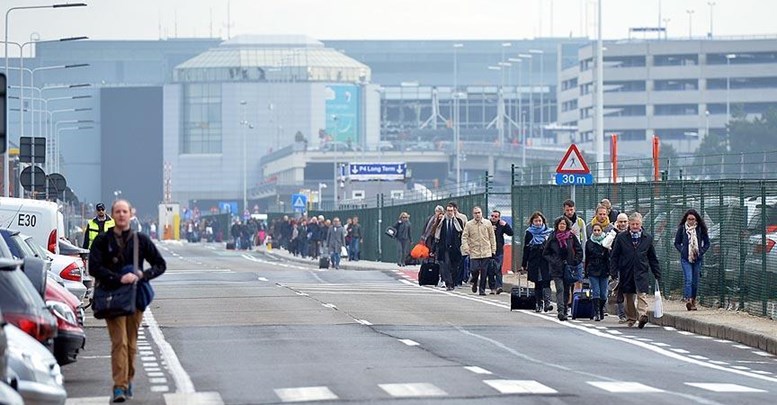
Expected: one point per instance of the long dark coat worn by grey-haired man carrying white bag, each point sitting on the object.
(631, 264)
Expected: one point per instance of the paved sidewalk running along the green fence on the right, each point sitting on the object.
(736, 326)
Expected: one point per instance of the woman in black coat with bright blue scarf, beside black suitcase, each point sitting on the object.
(534, 264)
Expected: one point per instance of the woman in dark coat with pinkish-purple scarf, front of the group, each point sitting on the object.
(563, 253)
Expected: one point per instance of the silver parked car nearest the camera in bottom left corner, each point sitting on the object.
(36, 372)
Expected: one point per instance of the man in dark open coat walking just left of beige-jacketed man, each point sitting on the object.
(448, 253)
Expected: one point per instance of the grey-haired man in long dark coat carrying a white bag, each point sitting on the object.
(633, 256)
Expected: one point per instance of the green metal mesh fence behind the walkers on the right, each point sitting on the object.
(740, 269)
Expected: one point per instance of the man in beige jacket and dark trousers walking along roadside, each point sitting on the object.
(479, 243)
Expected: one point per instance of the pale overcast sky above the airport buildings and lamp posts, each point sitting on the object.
(386, 19)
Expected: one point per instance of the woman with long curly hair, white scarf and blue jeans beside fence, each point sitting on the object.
(692, 241)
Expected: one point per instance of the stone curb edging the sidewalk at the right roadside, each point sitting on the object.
(745, 337)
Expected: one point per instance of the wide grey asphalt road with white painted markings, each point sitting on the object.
(246, 328)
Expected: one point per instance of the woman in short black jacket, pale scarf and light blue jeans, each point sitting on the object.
(597, 269)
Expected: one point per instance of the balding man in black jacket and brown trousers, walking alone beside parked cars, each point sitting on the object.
(111, 263)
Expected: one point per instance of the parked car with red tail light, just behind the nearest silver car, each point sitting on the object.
(23, 305)
